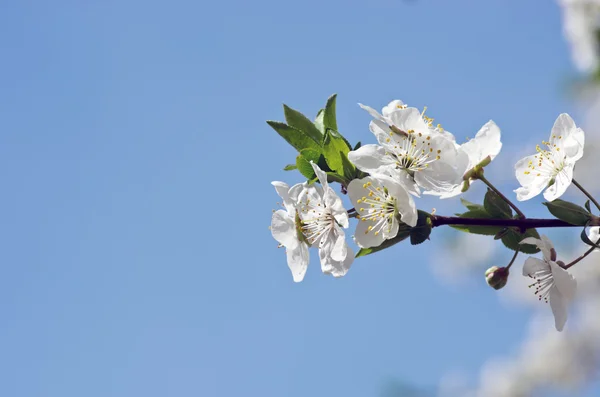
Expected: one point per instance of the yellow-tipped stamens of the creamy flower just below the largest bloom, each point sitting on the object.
(380, 208)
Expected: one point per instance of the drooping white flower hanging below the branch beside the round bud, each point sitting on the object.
(552, 284)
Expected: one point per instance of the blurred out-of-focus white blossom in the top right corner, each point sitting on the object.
(580, 19)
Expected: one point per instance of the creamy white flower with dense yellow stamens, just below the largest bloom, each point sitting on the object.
(381, 203)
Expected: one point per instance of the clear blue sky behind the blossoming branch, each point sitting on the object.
(135, 166)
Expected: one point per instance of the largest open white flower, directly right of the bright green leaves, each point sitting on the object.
(408, 142)
